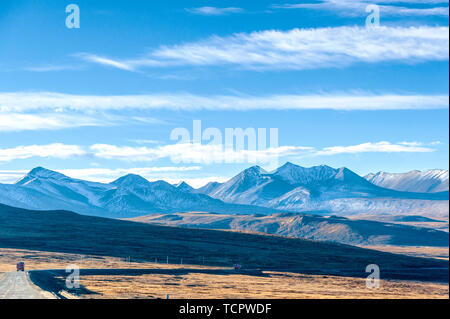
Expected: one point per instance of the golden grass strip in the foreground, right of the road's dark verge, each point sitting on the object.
(277, 285)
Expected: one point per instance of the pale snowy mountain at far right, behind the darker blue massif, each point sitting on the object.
(431, 181)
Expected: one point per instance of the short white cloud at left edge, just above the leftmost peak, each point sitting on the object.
(56, 150)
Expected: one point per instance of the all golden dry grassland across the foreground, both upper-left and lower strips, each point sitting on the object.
(269, 284)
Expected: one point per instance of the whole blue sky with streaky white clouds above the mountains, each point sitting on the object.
(101, 101)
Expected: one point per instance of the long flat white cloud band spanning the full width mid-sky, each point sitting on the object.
(20, 111)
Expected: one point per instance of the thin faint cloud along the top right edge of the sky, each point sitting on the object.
(356, 8)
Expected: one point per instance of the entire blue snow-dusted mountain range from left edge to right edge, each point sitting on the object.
(320, 189)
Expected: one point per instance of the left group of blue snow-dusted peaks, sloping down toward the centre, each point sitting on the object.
(128, 196)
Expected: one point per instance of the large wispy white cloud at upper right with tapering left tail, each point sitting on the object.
(299, 49)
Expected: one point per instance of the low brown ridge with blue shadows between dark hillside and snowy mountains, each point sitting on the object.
(308, 226)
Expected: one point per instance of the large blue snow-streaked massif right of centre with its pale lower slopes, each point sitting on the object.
(322, 188)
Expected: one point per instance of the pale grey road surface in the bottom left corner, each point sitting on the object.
(17, 285)
